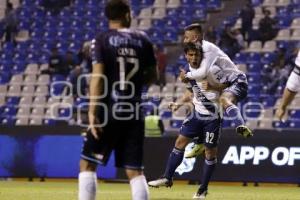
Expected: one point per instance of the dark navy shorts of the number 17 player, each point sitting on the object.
(126, 138)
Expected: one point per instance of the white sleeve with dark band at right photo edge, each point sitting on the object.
(293, 83)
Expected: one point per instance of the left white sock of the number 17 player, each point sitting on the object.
(87, 183)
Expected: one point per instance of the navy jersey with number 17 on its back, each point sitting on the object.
(126, 55)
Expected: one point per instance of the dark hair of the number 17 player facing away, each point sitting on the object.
(116, 9)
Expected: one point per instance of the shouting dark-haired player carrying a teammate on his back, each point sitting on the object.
(203, 122)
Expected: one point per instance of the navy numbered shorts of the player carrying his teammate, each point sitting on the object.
(204, 127)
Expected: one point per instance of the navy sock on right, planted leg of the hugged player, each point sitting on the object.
(208, 169)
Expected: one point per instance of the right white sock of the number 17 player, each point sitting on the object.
(139, 188)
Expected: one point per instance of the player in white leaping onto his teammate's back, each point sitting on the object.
(237, 86)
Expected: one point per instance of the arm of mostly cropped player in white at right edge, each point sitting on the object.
(291, 89)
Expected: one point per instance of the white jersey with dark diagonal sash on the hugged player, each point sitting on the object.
(211, 95)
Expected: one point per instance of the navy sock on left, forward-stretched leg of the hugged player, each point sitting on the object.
(174, 161)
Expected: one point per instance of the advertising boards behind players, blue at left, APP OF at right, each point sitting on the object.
(270, 156)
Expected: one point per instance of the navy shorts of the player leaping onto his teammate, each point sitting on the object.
(239, 88)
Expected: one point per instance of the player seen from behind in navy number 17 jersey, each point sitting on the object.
(123, 60)
